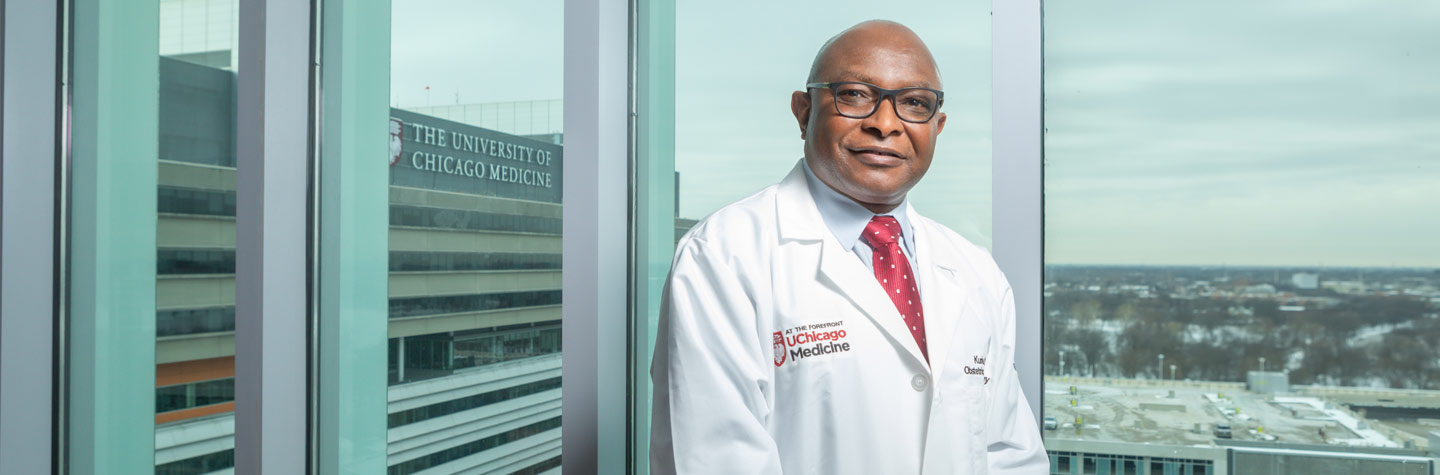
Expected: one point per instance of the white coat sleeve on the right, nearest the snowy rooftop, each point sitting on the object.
(1014, 447)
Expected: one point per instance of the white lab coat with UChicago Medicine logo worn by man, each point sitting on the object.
(754, 374)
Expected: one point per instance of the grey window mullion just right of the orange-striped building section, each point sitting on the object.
(271, 307)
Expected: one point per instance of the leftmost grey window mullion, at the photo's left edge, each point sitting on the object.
(28, 232)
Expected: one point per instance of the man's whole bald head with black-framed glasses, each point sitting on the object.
(872, 159)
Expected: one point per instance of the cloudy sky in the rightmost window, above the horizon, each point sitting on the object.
(1242, 133)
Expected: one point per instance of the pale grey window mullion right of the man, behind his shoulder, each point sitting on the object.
(1017, 171)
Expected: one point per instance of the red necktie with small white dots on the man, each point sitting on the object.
(895, 276)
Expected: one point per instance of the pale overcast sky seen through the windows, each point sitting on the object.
(1192, 133)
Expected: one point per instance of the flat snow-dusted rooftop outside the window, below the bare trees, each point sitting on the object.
(1184, 414)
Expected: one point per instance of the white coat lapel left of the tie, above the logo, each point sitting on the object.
(859, 284)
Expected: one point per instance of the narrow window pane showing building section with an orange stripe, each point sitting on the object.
(195, 290)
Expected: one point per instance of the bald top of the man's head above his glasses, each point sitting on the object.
(866, 40)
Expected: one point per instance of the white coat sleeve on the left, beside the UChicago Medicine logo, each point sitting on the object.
(711, 374)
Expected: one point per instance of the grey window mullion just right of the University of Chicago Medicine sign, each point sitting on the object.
(595, 228)
